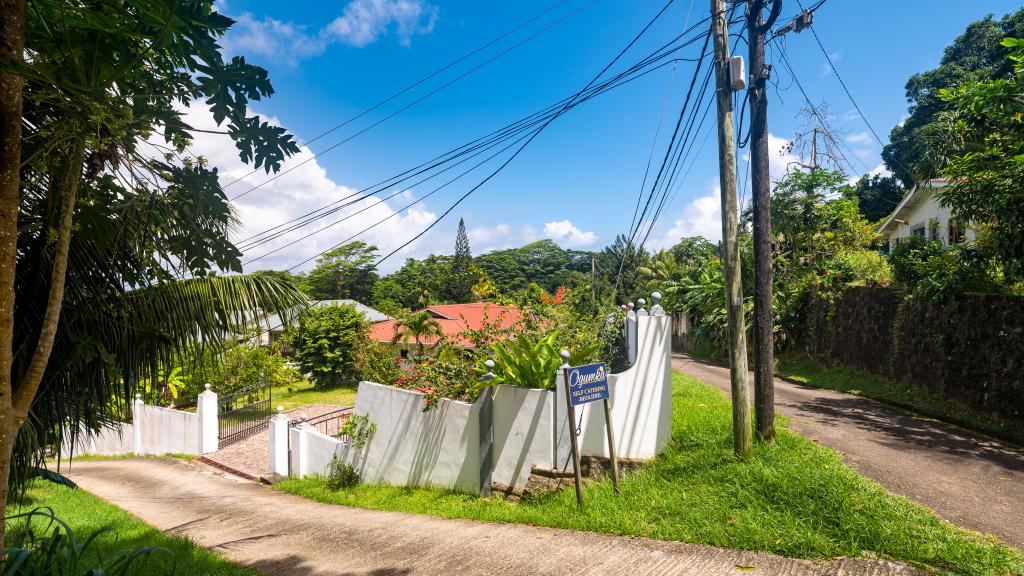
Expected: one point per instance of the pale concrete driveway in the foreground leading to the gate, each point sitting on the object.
(286, 536)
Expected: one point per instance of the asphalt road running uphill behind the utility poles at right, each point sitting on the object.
(972, 482)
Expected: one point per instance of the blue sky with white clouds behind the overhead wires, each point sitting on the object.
(579, 181)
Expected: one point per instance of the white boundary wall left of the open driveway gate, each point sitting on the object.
(156, 431)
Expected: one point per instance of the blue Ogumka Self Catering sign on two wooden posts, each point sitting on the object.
(584, 385)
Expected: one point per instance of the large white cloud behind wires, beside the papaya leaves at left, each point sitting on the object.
(300, 192)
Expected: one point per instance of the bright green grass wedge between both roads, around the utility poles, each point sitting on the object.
(793, 499)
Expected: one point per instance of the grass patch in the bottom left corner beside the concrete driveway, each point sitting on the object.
(87, 514)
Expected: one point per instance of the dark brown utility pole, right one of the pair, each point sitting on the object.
(764, 341)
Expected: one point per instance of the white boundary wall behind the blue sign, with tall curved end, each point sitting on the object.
(442, 447)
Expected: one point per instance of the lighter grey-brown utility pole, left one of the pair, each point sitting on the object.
(731, 228)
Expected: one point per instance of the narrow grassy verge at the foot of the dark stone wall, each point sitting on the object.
(812, 373)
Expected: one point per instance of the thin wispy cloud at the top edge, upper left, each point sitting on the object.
(362, 23)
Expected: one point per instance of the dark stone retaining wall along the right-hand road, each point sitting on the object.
(971, 350)
